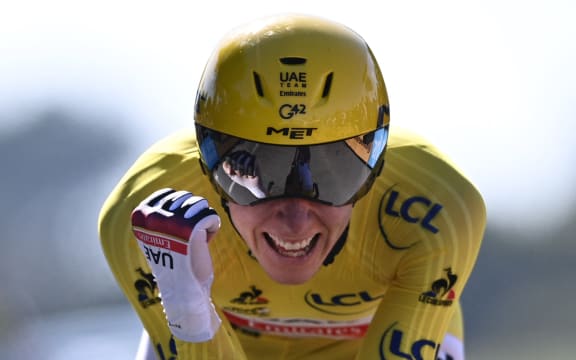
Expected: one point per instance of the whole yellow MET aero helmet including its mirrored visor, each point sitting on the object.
(292, 106)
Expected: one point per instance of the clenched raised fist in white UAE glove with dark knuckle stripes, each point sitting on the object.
(173, 229)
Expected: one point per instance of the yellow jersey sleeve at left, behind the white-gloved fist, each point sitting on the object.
(177, 156)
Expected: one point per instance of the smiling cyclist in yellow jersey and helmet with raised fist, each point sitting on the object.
(293, 222)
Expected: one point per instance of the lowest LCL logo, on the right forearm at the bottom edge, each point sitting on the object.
(393, 346)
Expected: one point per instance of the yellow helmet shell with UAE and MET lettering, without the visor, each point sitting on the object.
(292, 80)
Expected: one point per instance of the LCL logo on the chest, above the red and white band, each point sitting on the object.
(341, 304)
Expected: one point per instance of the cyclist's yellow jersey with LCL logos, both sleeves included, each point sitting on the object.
(389, 293)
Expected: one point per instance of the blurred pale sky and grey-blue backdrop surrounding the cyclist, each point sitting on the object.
(85, 86)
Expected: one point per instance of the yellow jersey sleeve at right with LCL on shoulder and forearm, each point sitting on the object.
(434, 220)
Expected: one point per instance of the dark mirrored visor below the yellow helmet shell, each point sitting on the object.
(248, 172)
